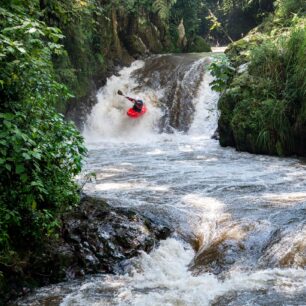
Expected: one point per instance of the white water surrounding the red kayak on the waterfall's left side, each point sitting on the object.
(108, 119)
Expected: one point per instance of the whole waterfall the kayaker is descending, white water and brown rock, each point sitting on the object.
(176, 95)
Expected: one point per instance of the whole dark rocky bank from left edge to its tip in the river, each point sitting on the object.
(95, 238)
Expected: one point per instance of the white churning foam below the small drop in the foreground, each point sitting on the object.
(163, 278)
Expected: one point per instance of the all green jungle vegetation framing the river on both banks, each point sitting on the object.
(52, 50)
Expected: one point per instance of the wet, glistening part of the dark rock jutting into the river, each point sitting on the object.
(101, 237)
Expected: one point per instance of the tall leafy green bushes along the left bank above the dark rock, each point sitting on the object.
(40, 153)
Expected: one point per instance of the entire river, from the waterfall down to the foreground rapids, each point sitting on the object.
(239, 219)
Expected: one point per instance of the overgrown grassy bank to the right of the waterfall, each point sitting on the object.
(264, 86)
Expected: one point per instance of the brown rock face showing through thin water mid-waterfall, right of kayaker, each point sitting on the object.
(180, 76)
